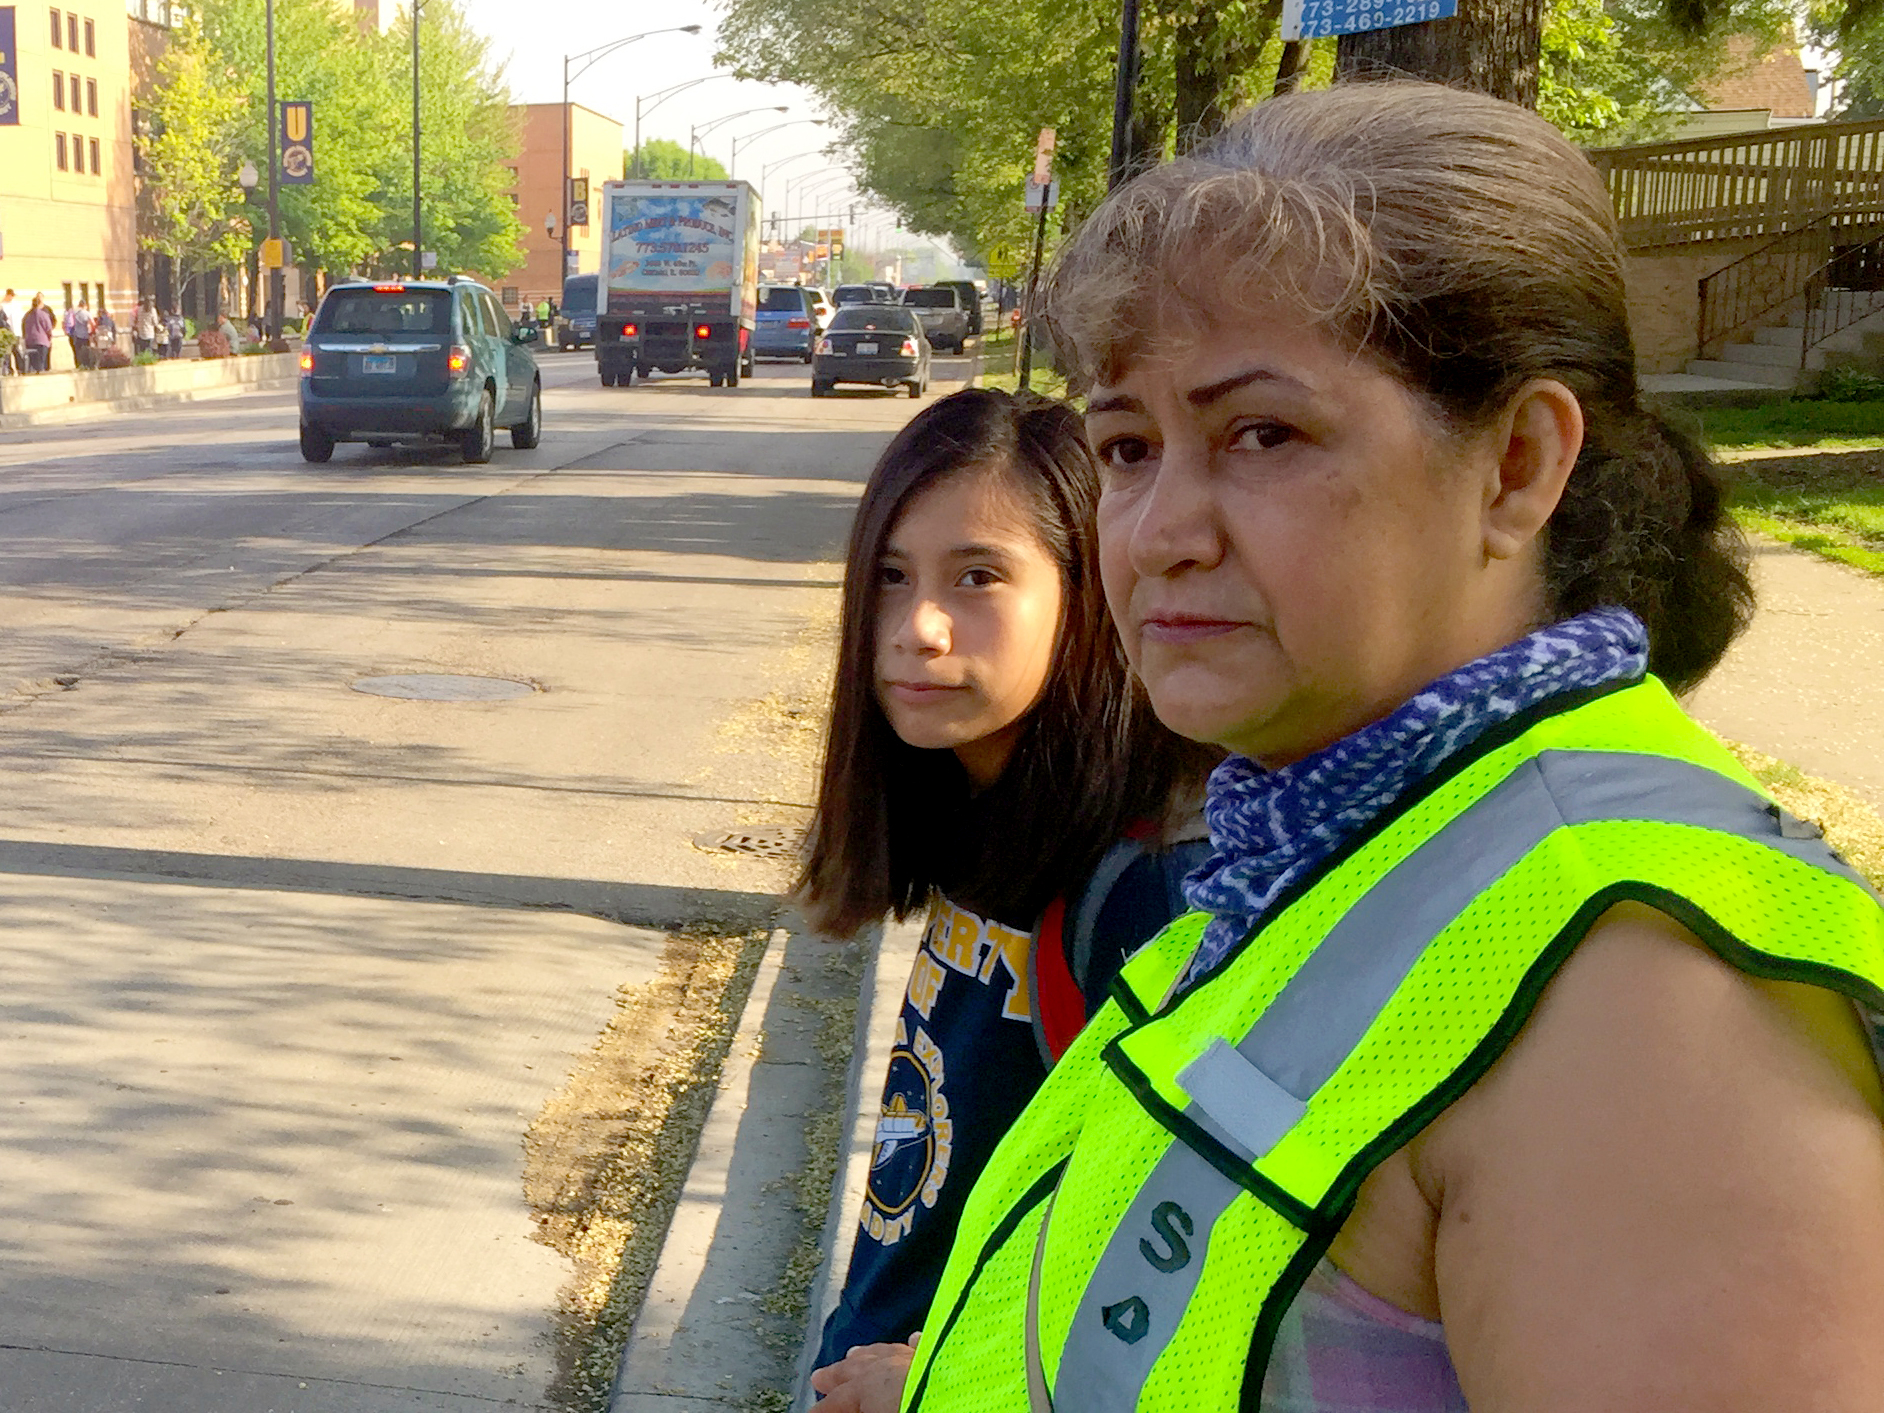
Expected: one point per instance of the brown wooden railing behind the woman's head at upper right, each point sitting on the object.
(1753, 186)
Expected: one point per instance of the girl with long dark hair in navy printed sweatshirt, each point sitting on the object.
(990, 762)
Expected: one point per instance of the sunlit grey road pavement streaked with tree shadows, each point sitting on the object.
(289, 966)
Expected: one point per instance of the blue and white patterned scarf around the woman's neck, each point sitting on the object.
(1269, 828)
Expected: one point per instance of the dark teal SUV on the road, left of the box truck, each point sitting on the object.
(417, 363)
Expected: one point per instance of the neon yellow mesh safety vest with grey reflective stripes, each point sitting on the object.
(1139, 1235)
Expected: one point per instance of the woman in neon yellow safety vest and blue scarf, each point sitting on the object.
(1514, 1058)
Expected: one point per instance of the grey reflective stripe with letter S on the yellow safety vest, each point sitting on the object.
(1252, 1094)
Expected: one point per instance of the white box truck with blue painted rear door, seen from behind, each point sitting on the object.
(679, 280)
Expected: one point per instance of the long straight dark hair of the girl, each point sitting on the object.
(894, 820)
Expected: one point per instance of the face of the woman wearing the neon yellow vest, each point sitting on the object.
(1290, 545)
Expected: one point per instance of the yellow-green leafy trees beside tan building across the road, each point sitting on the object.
(208, 116)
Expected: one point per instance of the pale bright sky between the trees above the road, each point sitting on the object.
(534, 39)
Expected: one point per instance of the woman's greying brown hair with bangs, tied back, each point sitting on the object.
(1469, 248)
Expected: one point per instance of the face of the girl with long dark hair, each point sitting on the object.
(967, 621)
